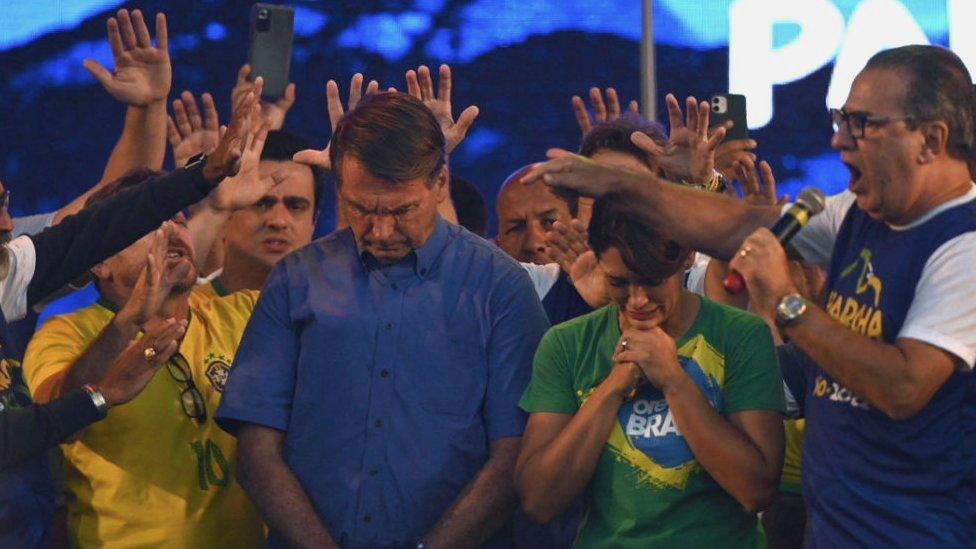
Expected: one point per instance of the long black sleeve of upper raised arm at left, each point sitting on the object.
(81, 241)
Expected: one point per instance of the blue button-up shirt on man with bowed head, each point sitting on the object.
(390, 382)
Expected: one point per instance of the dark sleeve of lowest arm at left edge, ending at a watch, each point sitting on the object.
(29, 431)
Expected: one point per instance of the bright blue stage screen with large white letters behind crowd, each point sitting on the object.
(520, 61)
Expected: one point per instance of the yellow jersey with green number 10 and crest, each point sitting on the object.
(148, 475)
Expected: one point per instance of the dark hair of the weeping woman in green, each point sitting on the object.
(644, 251)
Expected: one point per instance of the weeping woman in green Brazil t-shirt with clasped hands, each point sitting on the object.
(663, 409)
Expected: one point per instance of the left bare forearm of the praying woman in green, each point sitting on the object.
(555, 475)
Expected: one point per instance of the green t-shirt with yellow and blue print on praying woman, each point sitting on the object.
(648, 489)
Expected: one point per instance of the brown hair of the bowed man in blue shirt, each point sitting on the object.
(393, 135)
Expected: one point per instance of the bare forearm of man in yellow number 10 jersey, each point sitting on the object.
(97, 360)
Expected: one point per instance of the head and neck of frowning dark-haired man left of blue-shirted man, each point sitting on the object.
(280, 222)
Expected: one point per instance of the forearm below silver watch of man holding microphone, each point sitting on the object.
(874, 371)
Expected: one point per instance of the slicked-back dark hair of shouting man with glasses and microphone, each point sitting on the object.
(938, 87)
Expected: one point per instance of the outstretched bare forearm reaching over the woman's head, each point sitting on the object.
(712, 223)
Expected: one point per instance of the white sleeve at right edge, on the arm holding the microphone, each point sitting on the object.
(943, 312)
